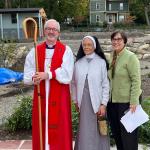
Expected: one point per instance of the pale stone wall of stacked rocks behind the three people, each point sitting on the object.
(137, 43)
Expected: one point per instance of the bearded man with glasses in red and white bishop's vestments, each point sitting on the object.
(55, 69)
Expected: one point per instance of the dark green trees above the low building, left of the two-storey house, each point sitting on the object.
(58, 9)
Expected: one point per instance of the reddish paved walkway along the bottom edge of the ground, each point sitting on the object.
(27, 145)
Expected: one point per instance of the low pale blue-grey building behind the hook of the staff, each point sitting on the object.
(11, 22)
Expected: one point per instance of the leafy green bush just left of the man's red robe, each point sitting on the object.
(21, 118)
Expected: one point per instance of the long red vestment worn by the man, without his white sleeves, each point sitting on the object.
(59, 106)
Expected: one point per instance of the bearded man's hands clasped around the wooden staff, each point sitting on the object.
(39, 76)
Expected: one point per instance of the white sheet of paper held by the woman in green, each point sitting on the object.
(132, 120)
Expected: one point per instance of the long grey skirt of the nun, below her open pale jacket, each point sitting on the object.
(88, 137)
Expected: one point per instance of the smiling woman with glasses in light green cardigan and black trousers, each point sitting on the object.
(125, 82)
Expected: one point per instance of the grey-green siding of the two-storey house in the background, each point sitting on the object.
(111, 16)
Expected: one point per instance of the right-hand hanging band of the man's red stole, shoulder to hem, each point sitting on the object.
(54, 99)
